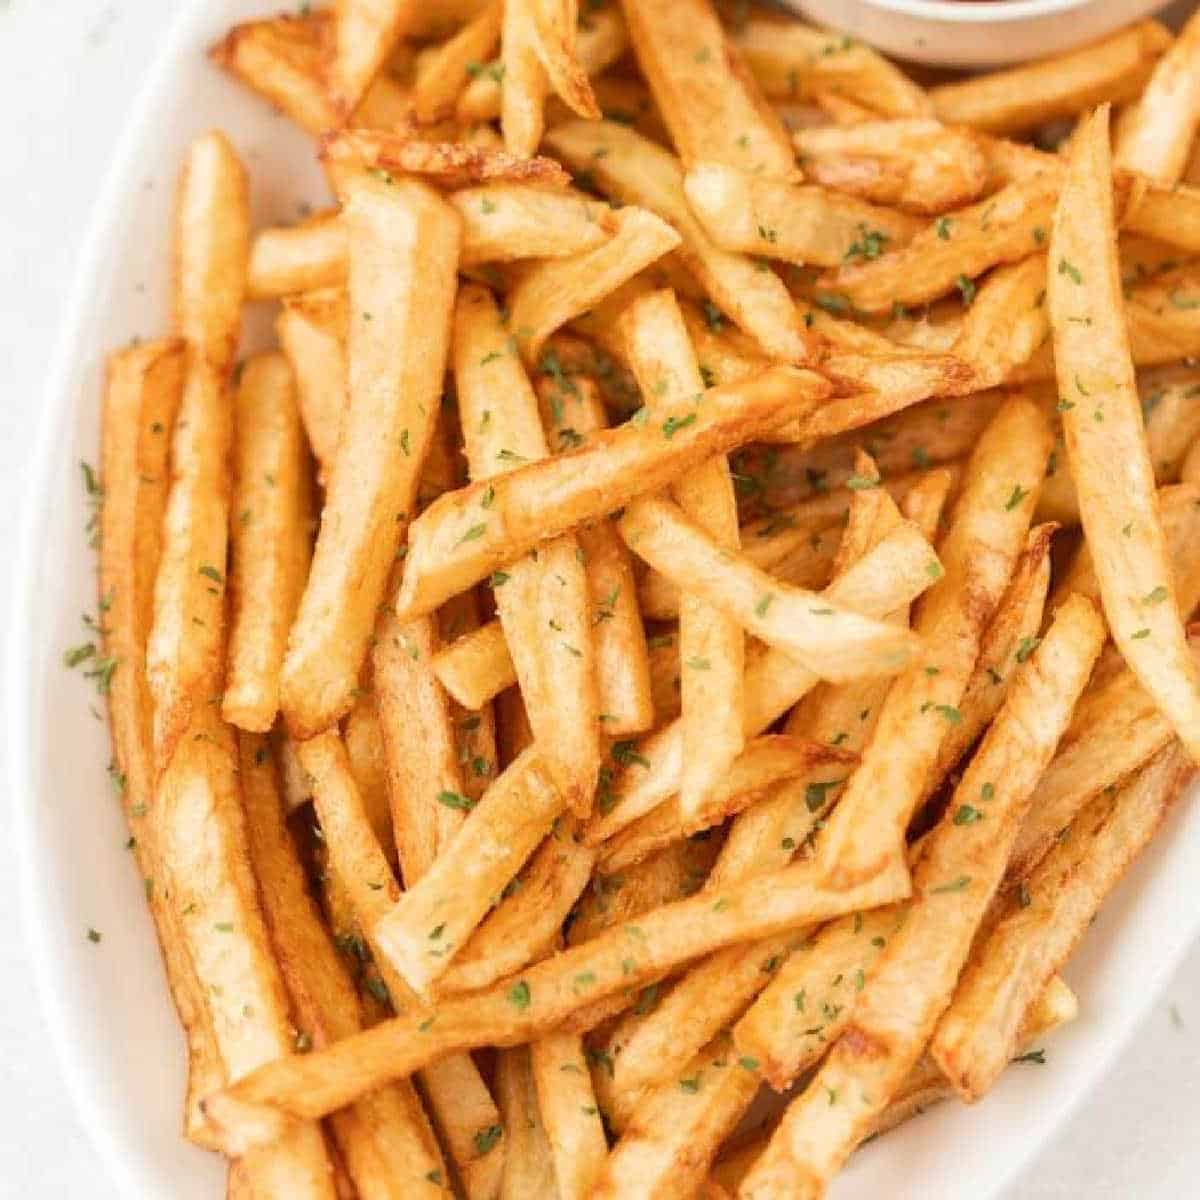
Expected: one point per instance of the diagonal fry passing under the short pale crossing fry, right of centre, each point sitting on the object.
(897, 571)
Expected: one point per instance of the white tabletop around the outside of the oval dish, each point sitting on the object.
(70, 71)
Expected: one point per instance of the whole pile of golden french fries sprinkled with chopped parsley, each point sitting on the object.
(697, 603)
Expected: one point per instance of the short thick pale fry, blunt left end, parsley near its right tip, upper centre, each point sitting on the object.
(799, 224)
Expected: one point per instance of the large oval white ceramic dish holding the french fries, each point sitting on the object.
(106, 1004)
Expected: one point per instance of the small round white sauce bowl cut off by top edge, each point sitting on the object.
(976, 33)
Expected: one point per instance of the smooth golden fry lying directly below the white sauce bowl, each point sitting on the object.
(1022, 98)
